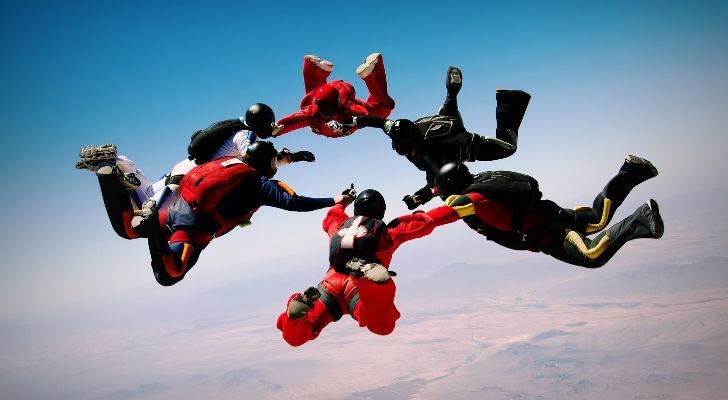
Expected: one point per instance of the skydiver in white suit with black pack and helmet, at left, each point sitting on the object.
(221, 139)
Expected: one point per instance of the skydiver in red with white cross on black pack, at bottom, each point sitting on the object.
(358, 281)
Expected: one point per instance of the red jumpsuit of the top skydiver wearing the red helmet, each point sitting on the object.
(378, 104)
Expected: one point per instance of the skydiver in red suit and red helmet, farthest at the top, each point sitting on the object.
(328, 108)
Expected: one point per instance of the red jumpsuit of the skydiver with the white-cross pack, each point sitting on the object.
(369, 303)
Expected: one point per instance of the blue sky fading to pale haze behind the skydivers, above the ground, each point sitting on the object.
(607, 79)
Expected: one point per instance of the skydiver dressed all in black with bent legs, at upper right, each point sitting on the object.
(433, 141)
